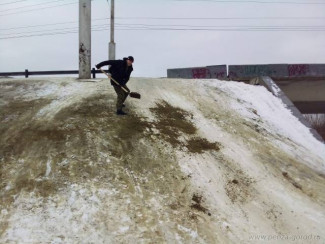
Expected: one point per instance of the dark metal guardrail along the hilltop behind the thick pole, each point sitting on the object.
(58, 72)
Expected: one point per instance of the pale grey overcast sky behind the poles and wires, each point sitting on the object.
(156, 50)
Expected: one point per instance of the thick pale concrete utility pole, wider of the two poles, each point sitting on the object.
(84, 39)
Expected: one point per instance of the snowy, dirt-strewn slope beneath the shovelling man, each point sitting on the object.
(196, 161)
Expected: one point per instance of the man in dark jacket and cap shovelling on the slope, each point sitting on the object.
(120, 71)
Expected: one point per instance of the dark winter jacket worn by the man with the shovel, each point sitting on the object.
(119, 70)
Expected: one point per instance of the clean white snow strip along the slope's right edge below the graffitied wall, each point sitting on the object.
(273, 111)
